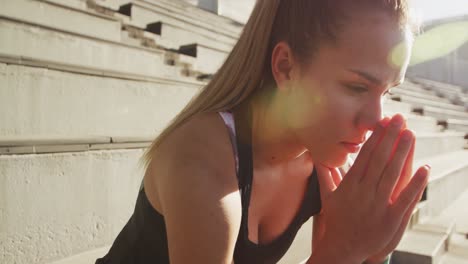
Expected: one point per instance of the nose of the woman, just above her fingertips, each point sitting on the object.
(370, 115)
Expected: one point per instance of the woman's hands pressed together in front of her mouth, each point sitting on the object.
(365, 213)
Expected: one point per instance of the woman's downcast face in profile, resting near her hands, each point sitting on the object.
(337, 98)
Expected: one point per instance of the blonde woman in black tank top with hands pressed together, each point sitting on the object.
(236, 174)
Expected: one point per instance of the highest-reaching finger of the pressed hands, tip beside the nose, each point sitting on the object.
(383, 152)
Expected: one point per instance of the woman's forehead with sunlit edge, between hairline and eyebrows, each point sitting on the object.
(372, 42)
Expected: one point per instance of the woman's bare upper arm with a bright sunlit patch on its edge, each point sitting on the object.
(200, 201)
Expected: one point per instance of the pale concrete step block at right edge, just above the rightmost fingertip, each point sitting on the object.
(432, 144)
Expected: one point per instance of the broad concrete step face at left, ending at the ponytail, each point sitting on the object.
(43, 102)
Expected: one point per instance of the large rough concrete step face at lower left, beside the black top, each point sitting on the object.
(60, 205)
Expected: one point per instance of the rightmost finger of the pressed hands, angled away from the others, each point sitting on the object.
(414, 188)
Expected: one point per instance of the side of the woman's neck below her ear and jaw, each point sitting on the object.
(272, 142)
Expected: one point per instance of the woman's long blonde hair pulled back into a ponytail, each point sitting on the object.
(247, 71)
